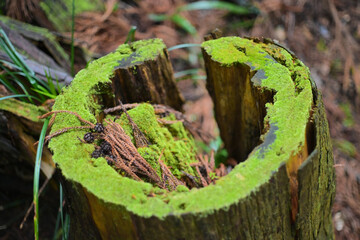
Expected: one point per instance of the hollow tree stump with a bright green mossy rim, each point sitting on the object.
(273, 123)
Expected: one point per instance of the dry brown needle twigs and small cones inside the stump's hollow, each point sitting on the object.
(122, 154)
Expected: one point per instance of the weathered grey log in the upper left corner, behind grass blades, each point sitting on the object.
(27, 39)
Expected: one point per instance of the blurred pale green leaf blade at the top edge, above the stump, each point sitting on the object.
(213, 5)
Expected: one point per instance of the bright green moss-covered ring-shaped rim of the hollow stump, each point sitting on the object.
(103, 181)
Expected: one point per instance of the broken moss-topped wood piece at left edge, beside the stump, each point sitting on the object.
(20, 130)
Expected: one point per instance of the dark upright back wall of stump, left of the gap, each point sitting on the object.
(150, 80)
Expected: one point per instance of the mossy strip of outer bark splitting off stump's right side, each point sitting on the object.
(316, 177)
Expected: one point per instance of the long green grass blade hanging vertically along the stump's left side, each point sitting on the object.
(37, 177)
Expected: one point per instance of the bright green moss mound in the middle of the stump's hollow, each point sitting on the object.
(177, 146)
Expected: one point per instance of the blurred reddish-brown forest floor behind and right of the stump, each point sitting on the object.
(324, 34)
